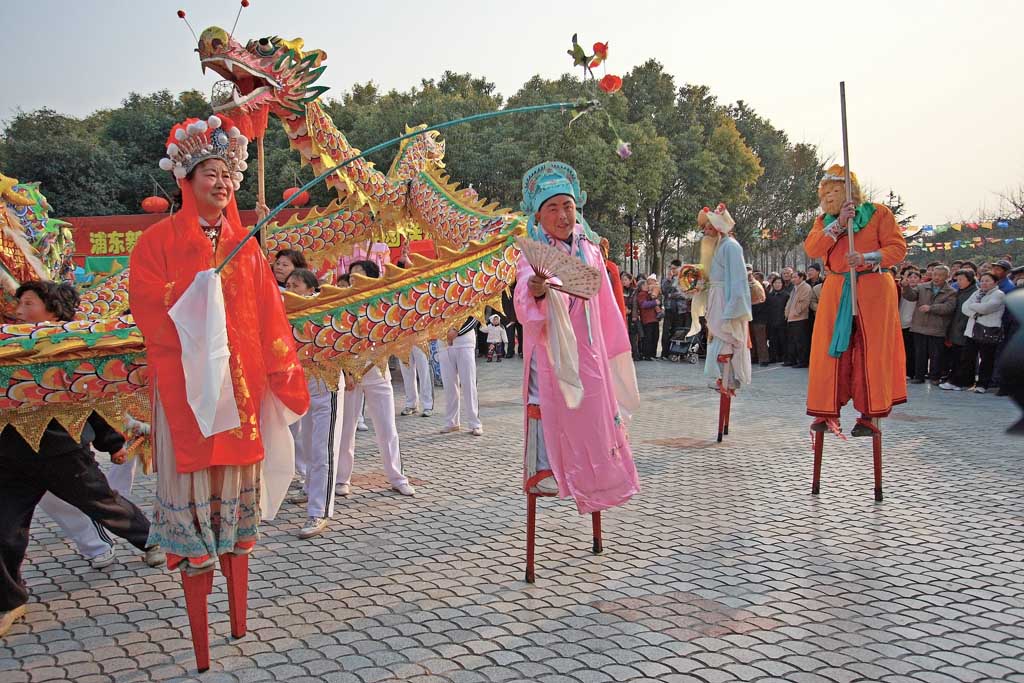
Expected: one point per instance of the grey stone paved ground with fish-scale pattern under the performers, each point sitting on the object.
(724, 569)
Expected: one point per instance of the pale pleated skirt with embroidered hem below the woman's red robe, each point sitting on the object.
(198, 517)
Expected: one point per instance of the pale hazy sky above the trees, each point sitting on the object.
(934, 89)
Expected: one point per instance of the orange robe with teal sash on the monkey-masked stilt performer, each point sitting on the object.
(873, 371)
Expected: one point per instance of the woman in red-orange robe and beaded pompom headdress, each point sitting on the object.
(164, 264)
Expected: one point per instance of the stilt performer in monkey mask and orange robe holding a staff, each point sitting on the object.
(860, 358)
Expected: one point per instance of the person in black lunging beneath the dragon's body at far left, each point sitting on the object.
(62, 465)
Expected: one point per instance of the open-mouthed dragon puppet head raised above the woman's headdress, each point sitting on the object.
(267, 75)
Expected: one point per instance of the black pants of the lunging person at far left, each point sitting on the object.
(74, 478)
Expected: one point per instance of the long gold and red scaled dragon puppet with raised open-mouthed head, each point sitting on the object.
(99, 363)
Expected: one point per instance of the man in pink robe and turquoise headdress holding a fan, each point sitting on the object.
(585, 446)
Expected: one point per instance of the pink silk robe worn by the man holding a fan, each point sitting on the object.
(587, 447)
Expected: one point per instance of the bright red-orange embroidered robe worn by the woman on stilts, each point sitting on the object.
(164, 263)
